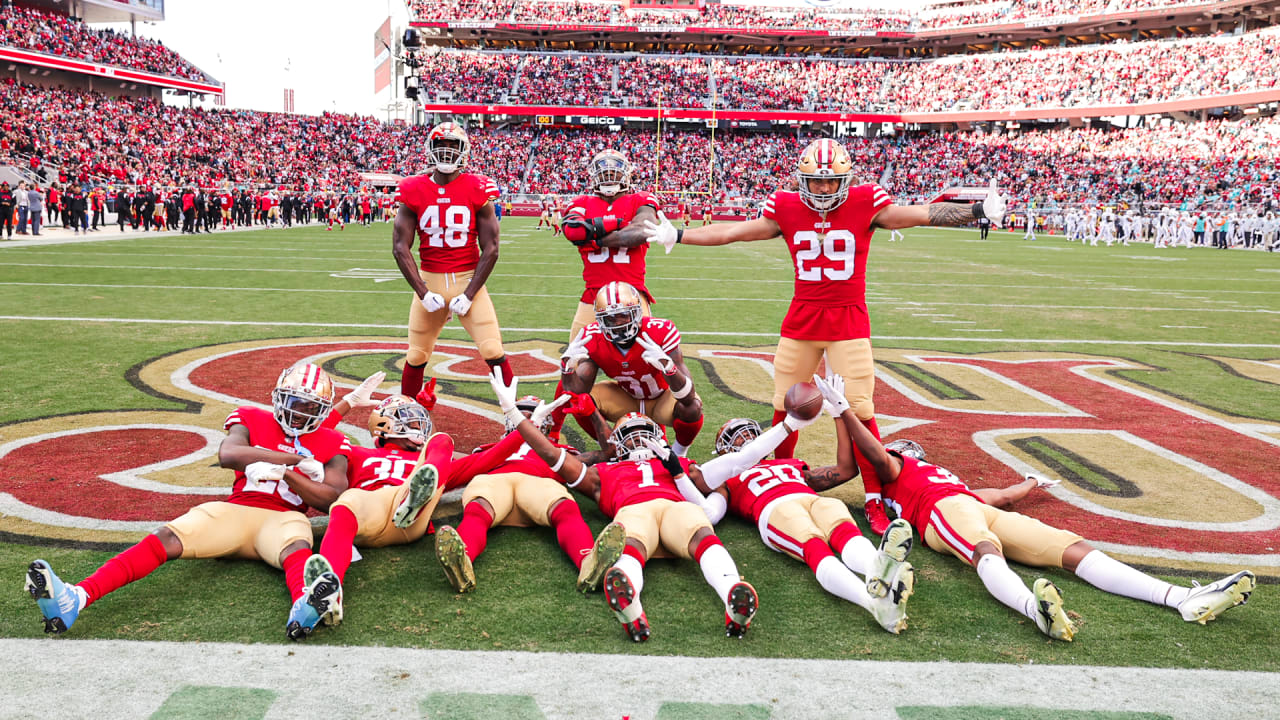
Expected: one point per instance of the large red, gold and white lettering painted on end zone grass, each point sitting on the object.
(1151, 479)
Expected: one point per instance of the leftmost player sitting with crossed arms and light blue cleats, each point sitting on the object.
(285, 463)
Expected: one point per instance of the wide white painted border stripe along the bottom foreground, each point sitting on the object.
(391, 682)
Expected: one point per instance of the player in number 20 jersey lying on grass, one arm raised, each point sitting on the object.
(796, 521)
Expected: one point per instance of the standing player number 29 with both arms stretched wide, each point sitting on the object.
(829, 226)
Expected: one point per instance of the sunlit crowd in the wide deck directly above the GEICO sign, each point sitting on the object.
(1113, 75)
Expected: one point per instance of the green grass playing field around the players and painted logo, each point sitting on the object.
(1185, 316)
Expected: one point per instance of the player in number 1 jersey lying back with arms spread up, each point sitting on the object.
(641, 493)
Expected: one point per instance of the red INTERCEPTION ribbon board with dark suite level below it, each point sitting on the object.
(1203, 19)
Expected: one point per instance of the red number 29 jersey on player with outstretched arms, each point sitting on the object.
(830, 259)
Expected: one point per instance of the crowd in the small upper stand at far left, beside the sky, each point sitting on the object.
(60, 35)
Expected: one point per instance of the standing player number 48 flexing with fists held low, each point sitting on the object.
(451, 213)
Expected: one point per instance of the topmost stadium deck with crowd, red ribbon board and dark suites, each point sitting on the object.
(733, 29)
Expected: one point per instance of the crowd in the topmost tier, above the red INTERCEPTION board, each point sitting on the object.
(757, 17)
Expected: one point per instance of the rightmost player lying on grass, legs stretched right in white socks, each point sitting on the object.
(973, 526)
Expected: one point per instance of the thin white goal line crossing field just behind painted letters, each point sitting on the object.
(707, 334)
